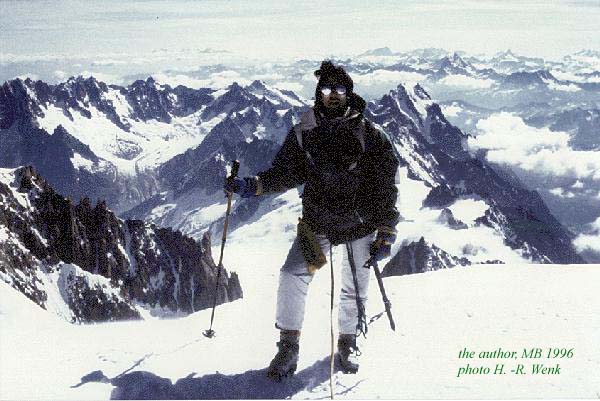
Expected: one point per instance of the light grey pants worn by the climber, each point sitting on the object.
(294, 279)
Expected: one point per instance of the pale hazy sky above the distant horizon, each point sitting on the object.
(295, 29)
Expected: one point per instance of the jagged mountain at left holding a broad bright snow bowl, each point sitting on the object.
(107, 141)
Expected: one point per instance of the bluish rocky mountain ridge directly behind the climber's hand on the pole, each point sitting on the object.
(255, 120)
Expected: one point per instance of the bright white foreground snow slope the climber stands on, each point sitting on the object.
(482, 307)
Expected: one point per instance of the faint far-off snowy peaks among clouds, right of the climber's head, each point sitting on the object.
(502, 80)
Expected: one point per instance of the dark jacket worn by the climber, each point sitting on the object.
(348, 168)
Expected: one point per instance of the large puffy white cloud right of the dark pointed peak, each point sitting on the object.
(508, 140)
